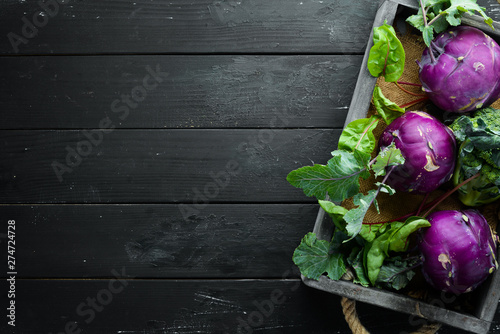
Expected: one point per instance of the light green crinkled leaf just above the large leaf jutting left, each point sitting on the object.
(358, 135)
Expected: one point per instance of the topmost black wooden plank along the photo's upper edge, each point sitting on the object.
(202, 26)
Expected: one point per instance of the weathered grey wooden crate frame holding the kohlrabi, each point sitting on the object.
(486, 296)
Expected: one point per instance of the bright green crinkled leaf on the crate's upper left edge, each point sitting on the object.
(387, 56)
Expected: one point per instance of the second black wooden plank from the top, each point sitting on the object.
(70, 92)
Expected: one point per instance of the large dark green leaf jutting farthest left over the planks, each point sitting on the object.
(339, 178)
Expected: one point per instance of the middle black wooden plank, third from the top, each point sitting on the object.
(195, 167)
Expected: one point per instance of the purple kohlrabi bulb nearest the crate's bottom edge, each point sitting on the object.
(458, 250)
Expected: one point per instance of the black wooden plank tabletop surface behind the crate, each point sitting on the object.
(144, 148)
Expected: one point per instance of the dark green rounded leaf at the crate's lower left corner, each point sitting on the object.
(315, 257)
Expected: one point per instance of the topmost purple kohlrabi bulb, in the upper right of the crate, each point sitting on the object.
(460, 71)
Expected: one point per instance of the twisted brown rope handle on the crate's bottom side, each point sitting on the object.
(352, 318)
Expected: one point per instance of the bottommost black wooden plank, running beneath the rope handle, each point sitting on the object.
(189, 306)
